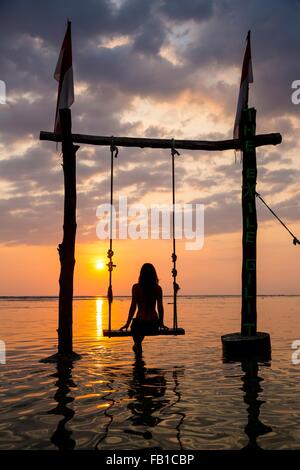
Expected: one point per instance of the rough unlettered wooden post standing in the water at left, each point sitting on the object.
(66, 249)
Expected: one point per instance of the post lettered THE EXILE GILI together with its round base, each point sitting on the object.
(249, 342)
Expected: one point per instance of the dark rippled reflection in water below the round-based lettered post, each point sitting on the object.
(252, 388)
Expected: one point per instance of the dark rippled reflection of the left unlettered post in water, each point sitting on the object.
(61, 437)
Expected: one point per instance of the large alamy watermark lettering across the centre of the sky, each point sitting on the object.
(137, 221)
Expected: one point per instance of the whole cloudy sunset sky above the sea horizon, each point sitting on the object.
(147, 68)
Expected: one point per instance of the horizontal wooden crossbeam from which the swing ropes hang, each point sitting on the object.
(210, 145)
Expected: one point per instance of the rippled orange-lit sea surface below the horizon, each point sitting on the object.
(179, 396)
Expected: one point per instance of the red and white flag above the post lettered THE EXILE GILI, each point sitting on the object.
(246, 78)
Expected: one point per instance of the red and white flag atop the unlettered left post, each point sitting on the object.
(64, 75)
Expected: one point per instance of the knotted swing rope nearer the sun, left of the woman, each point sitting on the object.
(113, 154)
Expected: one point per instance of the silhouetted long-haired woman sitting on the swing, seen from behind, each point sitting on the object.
(145, 295)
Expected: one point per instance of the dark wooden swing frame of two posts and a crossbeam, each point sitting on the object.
(247, 144)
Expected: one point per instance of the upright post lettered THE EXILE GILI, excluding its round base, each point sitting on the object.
(249, 315)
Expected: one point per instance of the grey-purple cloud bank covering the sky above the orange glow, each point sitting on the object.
(172, 49)
